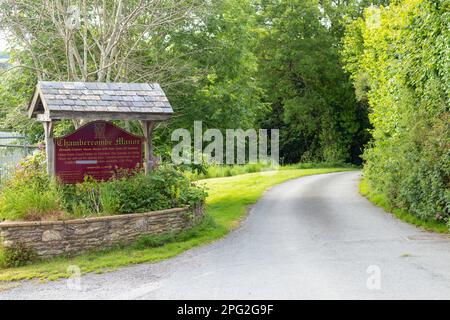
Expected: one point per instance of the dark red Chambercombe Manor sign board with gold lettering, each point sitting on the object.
(96, 149)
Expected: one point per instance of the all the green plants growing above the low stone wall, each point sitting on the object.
(31, 195)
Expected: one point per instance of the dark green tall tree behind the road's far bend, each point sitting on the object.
(311, 97)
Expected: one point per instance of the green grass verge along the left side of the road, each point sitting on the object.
(226, 205)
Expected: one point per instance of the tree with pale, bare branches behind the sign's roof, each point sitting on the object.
(96, 40)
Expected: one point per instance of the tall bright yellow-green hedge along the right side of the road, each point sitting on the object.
(399, 59)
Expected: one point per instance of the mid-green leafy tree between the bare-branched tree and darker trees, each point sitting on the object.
(223, 91)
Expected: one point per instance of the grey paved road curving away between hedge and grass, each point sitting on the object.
(309, 238)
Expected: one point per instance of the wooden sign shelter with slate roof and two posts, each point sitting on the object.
(90, 101)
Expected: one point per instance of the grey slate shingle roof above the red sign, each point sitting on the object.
(69, 99)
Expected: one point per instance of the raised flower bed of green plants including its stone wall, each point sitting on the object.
(39, 216)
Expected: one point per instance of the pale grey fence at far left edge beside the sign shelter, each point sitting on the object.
(13, 148)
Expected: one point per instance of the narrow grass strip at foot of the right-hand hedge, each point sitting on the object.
(380, 200)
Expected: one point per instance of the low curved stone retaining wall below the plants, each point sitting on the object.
(52, 238)
